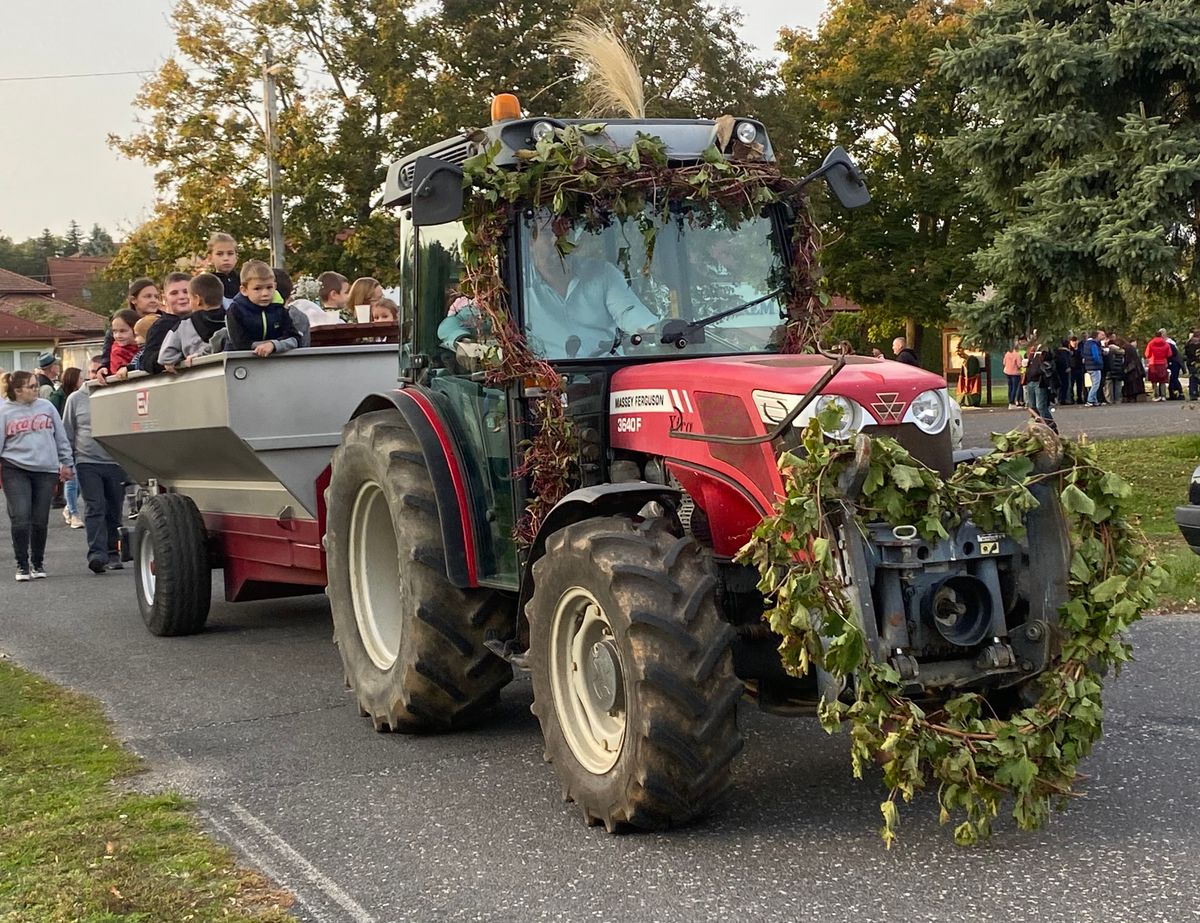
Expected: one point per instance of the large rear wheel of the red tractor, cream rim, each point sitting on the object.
(412, 644)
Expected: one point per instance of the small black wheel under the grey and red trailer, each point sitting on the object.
(172, 573)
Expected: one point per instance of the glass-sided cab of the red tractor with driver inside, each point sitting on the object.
(593, 299)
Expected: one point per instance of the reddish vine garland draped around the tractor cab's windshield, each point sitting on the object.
(583, 182)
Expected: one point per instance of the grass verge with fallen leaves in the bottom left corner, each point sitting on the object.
(76, 847)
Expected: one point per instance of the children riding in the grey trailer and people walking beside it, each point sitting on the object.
(47, 454)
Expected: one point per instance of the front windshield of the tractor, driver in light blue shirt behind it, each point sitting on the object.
(586, 292)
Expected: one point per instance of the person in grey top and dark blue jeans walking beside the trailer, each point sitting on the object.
(101, 480)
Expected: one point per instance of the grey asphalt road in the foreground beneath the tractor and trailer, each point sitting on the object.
(251, 720)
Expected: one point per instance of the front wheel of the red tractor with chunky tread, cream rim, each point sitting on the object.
(633, 674)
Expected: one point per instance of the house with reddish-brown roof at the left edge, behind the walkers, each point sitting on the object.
(34, 321)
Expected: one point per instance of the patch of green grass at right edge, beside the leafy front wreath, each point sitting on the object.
(1160, 469)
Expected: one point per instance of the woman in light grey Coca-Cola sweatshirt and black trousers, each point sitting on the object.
(34, 457)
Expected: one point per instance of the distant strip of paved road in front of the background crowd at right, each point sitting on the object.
(1112, 422)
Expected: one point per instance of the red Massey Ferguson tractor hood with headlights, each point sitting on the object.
(668, 411)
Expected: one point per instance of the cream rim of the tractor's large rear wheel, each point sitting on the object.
(375, 577)
